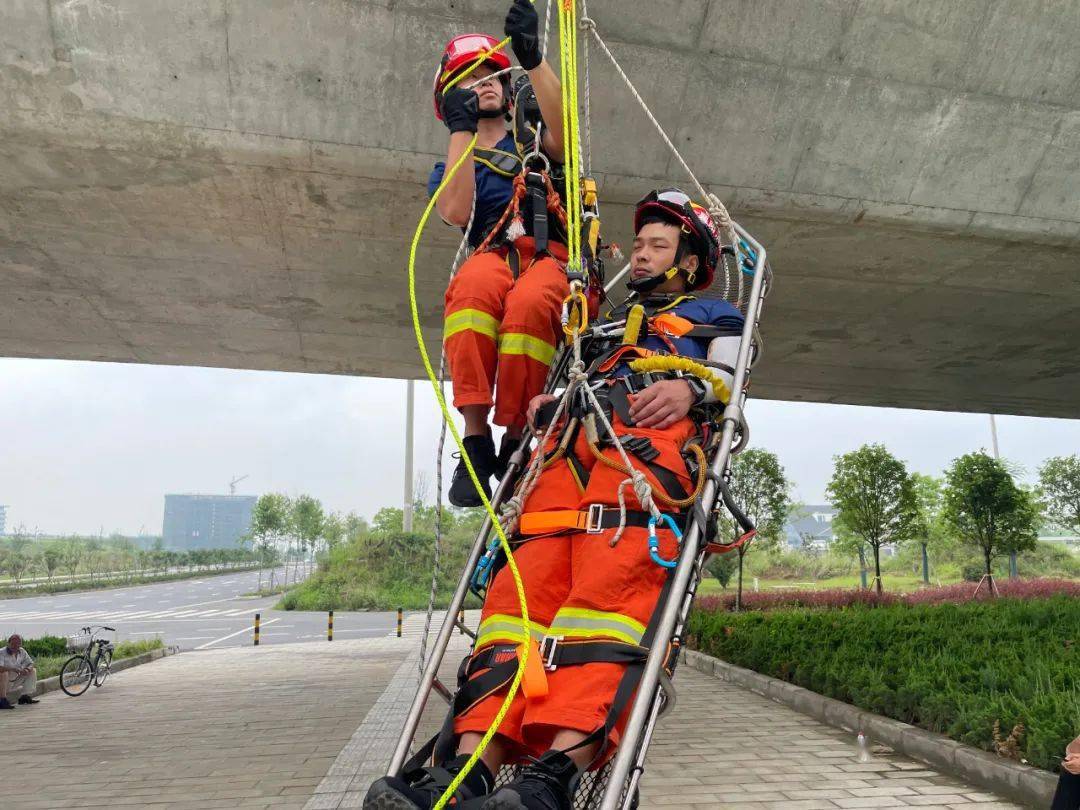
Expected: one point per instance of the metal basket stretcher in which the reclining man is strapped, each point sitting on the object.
(615, 787)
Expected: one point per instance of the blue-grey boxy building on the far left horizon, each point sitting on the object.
(207, 521)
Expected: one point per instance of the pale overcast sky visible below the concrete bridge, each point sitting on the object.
(96, 447)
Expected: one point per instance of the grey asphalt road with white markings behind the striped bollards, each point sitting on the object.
(197, 614)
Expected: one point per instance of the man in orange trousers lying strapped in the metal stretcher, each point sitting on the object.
(592, 593)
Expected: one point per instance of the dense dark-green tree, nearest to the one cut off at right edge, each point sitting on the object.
(988, 510)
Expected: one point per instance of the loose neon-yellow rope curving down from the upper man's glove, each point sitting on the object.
(516, 684)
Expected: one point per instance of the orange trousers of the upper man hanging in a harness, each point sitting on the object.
(502, 334)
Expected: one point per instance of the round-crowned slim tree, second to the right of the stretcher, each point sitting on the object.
(875, 499)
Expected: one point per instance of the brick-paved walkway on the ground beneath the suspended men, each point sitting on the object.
(312, 725)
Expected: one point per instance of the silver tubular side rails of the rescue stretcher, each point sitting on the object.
(656, 694)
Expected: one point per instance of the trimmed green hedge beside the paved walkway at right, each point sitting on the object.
(951, 669)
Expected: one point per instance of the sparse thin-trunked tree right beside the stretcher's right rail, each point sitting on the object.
(761, 489)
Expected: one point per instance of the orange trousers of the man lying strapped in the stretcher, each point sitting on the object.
(578, 586)
